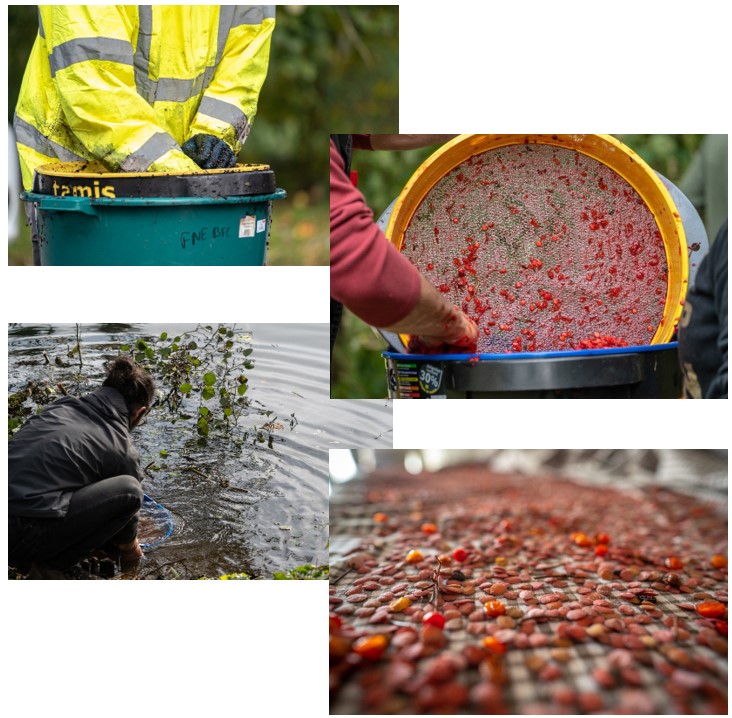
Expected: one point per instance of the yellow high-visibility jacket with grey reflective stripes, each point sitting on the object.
(128, 84)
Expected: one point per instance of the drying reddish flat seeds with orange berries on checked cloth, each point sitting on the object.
(479, 593)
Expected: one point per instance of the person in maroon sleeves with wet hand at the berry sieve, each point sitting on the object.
(370, 277)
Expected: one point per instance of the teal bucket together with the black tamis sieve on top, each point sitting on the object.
(214, 218)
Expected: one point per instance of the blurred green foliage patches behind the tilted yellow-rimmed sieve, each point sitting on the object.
(357, 370)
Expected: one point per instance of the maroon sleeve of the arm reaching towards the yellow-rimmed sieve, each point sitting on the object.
(367, 273)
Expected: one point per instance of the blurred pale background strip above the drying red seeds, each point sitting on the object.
(699, 472)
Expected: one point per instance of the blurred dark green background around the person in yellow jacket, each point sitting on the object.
(332, 68)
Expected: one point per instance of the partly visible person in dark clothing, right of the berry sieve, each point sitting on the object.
(703, 327)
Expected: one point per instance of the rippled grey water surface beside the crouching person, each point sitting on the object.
(244, 506)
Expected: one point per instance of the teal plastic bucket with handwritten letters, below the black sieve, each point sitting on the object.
(157, 231)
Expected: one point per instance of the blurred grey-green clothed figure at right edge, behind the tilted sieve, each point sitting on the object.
(705, 182)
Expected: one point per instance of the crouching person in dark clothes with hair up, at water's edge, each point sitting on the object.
(74, 477)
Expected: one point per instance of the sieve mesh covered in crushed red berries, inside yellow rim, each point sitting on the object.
(545, 248)
